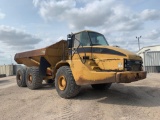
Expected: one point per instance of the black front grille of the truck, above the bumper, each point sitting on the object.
(133, 65)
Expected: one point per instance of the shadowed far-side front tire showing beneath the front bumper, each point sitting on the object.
(101, 86)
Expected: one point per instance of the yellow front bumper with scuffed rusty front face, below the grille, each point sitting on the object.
(111, 77)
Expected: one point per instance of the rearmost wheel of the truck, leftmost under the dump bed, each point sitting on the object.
(20, 77)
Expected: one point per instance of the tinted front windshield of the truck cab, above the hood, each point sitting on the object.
(97, 39)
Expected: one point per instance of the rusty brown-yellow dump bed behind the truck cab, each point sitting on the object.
(52, 54)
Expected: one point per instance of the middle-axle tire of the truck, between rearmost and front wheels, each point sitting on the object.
(36, 81)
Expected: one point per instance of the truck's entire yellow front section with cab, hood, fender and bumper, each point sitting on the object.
(97, 62)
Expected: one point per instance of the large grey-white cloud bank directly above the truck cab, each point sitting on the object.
(100, 13)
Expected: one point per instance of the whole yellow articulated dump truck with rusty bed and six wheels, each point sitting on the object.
(85, 58)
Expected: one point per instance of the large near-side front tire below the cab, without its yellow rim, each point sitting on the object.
(71, 89)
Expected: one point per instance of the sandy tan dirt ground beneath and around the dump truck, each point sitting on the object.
(134, 101)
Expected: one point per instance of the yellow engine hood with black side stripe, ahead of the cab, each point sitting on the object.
(113, 58)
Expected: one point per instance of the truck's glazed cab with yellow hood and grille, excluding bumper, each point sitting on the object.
(93, 47)
